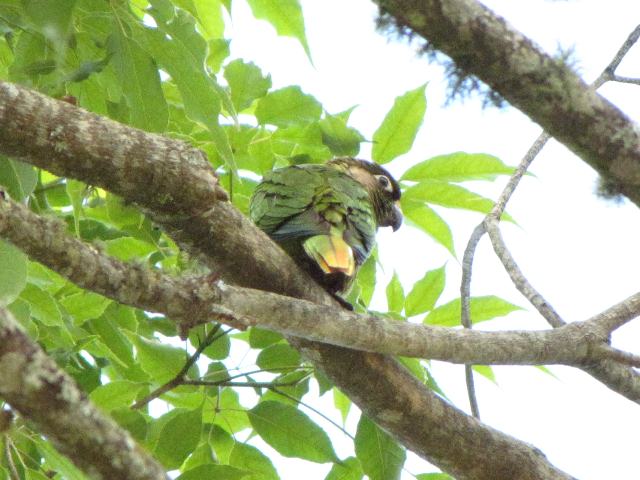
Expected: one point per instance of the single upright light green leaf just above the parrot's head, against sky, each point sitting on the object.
(398, 130)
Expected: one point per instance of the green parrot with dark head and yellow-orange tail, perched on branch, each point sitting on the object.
(325, 216)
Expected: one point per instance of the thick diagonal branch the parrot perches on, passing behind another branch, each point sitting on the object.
(384, 390)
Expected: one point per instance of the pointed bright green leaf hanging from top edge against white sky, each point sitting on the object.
(285, 16)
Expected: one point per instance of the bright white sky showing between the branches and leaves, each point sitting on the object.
(581, 252)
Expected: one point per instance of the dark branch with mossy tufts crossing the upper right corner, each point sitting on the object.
(546, 89)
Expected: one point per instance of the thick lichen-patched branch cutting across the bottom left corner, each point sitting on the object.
(35, 386)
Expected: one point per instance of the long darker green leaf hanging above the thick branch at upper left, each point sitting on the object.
(138, 72)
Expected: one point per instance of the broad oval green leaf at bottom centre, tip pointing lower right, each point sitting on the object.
(291, 433)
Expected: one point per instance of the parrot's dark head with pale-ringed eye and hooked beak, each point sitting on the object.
(383, 189)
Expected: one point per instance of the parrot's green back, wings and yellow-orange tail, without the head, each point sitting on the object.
(319, 212)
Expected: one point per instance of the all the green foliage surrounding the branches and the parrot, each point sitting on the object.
(164, 66)
